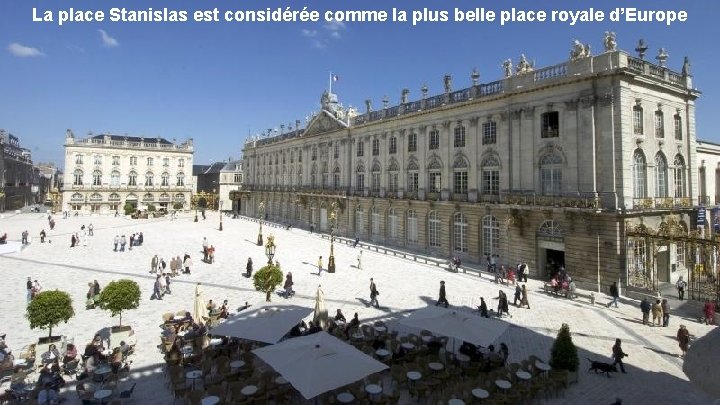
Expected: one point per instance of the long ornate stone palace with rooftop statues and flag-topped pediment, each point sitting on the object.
(587, 164)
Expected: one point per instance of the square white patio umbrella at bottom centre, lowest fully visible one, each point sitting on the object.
(318, 363)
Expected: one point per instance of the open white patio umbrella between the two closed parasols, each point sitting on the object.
(265, 324)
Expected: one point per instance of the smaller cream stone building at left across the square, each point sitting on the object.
(103, 172)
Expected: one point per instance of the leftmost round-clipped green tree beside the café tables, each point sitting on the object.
(48, 309)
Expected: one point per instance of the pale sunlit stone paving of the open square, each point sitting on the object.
(654, 368)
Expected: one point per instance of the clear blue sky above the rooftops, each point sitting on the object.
(217, 82)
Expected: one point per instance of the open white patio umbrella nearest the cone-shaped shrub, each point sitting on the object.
(459, 325)
